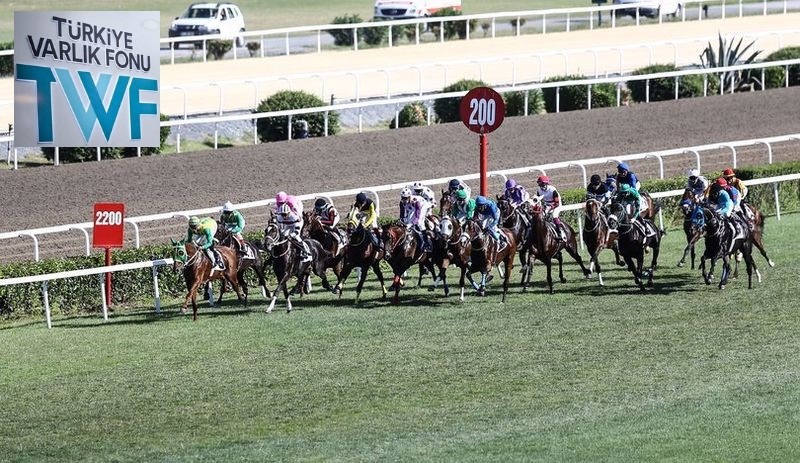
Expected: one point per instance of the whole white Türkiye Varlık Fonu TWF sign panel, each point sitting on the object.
(86, 78)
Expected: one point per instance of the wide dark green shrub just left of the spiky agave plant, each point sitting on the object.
(664, 88)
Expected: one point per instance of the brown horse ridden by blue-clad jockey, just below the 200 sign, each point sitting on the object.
(484, 254)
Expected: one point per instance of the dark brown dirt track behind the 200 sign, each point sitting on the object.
(49, 196)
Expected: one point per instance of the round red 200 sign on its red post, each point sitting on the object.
(482, 110)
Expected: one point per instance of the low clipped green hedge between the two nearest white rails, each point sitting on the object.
(83, 294)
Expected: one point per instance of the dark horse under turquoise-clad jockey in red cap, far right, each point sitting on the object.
(721, 242)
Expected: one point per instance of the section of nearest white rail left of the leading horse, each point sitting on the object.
(44, 279)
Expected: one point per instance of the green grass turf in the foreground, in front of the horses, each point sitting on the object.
(681, 372)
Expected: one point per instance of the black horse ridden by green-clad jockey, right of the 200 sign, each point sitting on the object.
(633, 242)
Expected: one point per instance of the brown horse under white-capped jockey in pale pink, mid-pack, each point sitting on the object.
(403, 250)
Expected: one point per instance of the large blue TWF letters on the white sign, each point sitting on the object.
(96, 91)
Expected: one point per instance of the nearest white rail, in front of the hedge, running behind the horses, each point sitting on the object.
(155, 263)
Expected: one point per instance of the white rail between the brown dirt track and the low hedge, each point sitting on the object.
(374, 190)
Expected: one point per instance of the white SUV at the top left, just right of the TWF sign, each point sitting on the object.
(225, 19)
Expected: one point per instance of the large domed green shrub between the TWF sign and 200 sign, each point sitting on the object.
(274, 128)
